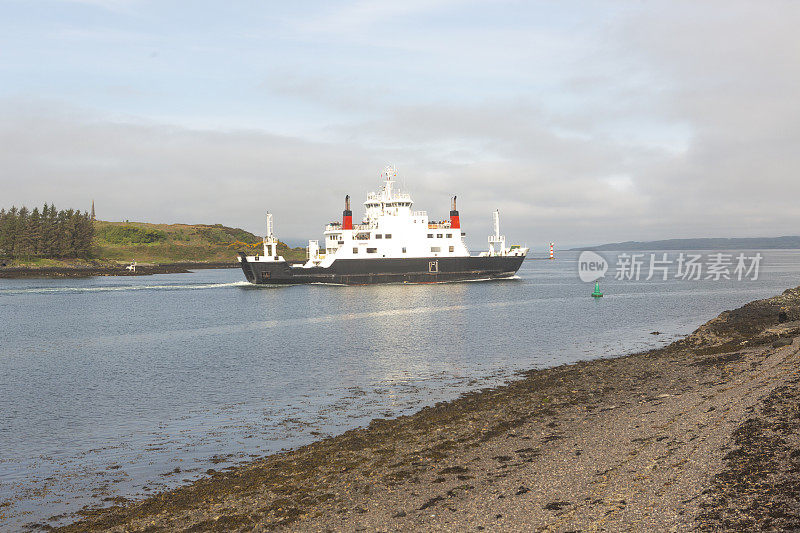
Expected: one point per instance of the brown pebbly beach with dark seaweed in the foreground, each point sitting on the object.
(701, 435)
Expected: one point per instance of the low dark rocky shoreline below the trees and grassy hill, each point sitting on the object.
(108, 269)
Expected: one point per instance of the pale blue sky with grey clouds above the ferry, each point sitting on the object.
(583, 122)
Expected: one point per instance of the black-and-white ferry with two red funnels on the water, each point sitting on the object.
(393, 244)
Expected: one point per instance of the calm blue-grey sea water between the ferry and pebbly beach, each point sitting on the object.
(125, 386)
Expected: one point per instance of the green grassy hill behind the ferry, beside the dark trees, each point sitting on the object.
(167, 243)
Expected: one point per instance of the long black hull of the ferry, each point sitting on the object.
(401, 270)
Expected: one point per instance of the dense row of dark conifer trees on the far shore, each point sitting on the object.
(45, 233)
